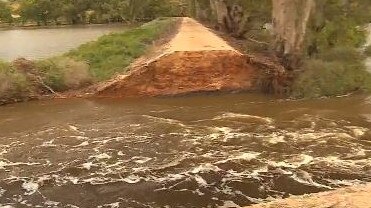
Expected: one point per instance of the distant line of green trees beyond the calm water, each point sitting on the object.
(45, 12)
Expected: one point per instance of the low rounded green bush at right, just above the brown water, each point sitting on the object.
(338, 72)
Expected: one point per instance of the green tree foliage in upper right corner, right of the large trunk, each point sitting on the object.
(337, 23)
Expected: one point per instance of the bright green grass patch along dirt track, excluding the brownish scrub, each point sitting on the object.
(112, 53)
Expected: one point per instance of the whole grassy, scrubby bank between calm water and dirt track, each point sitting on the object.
(90, 63)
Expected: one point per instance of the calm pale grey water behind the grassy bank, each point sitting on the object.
(41, 43)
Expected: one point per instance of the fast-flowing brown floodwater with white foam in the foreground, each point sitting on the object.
(198, 151)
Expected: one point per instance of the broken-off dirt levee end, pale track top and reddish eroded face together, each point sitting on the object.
(195, 60)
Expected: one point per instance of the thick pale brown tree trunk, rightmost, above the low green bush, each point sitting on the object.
(290, 18)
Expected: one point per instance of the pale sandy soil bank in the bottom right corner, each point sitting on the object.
(351, 197)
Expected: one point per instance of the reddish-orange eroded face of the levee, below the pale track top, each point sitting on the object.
(185, 72)
